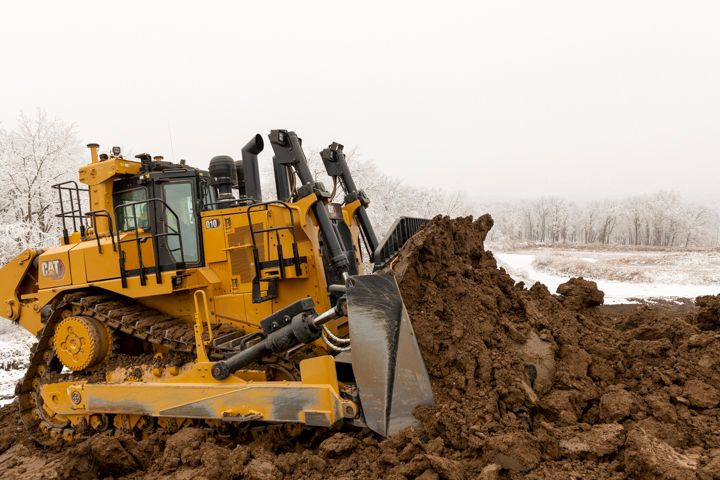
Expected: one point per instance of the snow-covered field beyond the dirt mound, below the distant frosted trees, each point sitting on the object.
(622, 275)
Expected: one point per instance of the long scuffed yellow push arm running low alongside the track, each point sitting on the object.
(229, 400)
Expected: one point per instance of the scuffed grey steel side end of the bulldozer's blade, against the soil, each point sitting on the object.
(389, 370)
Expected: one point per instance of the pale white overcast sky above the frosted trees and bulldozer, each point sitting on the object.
(500, 99)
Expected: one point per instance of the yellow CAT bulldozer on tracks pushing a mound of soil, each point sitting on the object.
(178, 296)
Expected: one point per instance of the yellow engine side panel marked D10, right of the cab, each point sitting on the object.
(237, 270)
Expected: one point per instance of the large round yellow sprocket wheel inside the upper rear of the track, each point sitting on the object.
(81, 342)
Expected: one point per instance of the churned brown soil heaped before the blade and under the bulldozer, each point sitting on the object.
(527, 385)
